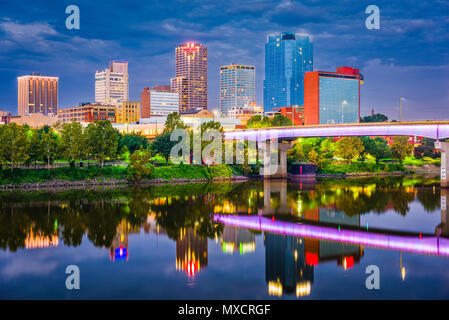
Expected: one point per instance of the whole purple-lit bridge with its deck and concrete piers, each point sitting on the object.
(428, 129)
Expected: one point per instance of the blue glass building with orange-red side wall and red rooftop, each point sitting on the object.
(332, 97)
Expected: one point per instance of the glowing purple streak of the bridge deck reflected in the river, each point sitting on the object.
(429, 245)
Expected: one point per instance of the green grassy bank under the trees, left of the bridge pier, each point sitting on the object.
(20, 176)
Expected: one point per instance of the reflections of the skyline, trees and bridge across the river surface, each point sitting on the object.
(303, 225)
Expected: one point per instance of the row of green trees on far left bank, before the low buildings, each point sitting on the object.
(72, 142)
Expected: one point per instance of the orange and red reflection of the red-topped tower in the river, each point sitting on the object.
(191, 252)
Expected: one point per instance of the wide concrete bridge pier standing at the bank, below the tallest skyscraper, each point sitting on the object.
(275, 165)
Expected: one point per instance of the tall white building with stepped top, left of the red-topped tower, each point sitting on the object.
(111, 85)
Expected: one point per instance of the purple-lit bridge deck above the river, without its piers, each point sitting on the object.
(428, 129)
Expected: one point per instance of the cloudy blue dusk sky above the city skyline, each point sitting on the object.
(408, 57)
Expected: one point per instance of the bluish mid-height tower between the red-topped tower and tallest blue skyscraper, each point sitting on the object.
(237, 86)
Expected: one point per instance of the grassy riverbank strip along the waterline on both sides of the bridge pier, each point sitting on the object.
(94, 176)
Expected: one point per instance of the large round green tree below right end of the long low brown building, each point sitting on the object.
(102, 140)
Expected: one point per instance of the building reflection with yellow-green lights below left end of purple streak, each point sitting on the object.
(238, 239)
